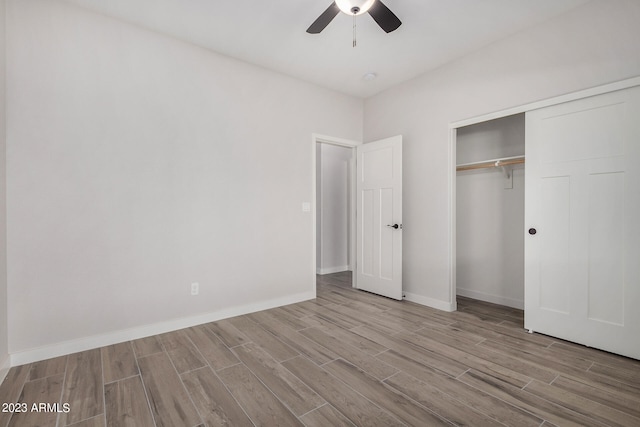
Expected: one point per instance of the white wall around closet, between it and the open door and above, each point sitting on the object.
(589, 46)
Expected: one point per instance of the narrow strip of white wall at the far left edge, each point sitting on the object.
(4, 349)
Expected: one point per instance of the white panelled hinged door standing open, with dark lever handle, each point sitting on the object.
(379, 217)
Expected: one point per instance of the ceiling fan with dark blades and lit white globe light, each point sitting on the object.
(380, 13)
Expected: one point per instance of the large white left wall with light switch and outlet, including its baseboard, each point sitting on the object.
(137, 164)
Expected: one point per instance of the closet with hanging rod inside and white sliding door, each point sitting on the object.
(558, 237)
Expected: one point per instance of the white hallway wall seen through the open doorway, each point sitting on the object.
(333, 218)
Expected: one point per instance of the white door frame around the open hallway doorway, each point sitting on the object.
(341, 142)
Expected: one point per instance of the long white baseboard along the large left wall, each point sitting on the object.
(96, 341)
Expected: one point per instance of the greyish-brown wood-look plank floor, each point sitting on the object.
(346, 358)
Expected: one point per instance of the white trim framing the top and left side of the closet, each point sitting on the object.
(453, 127)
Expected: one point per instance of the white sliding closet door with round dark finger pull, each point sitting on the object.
(582, 214)
